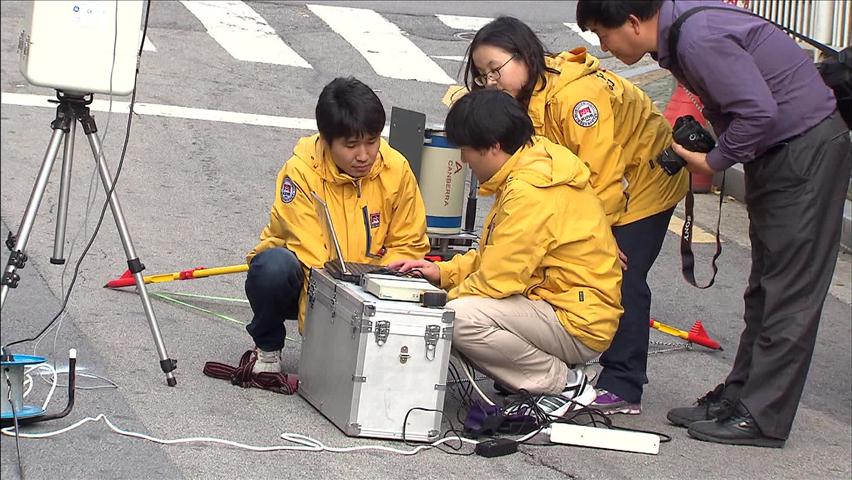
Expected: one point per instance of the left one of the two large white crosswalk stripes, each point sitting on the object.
(244, 33)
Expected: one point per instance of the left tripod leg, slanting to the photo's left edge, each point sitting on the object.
(17, 259)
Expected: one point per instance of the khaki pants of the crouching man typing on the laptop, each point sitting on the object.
(517, 341)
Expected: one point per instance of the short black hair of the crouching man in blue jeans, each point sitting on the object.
(348, 108)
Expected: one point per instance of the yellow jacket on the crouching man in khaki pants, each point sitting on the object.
(546, 238)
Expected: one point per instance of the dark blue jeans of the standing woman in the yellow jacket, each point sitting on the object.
(625, 362)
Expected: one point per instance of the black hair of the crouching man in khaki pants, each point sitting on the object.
(484, 118)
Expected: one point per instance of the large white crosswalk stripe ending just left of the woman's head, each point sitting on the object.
(382, 44)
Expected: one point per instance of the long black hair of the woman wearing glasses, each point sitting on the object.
(517, 38)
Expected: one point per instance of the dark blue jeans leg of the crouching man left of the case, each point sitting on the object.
(273, 286)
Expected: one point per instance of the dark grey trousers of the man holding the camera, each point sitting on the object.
(794, 197)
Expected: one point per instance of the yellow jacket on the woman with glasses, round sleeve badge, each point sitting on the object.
(615, 130)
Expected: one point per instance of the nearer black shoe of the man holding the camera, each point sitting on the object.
(737, 429)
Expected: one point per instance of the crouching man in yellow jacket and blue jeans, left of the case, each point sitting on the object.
(373, 198)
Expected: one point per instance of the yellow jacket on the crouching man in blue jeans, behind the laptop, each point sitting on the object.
(378, 218)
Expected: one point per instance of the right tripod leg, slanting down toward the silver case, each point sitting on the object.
(133, 263)
